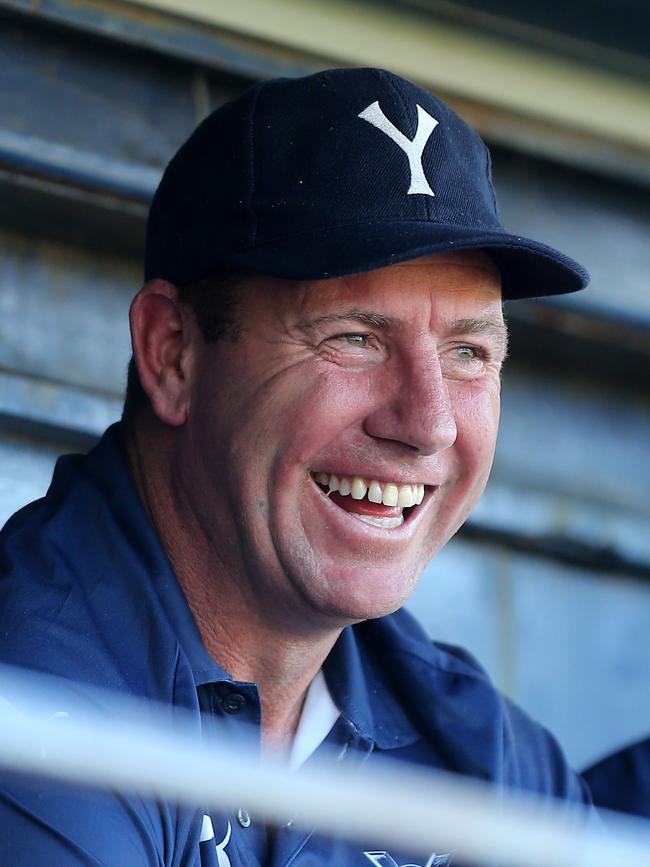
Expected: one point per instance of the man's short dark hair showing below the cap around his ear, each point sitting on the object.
(213, 300)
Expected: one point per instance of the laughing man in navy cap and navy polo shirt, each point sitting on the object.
(310, 416)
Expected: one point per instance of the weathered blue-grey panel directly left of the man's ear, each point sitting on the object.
(63, 313)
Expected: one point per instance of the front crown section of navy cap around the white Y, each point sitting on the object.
(318, 163)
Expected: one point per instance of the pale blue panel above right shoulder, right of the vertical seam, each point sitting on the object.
(582, 658)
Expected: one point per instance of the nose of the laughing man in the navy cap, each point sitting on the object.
(415, 408)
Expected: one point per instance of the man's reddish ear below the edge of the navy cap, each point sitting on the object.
(161, 334)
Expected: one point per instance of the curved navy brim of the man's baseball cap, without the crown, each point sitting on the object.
(528, 269)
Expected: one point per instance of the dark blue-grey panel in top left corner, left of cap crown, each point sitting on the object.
(71, 91)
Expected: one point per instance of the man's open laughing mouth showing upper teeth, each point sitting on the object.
(382, 504)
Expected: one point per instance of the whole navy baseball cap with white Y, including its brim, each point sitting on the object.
(340, 172)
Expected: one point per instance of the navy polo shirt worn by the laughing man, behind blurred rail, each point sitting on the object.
(87, 592)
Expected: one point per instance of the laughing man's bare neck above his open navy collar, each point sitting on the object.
(282, 662)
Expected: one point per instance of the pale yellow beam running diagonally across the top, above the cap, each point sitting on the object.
(481, 68)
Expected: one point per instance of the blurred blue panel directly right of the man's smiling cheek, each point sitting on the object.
(572, 460)
